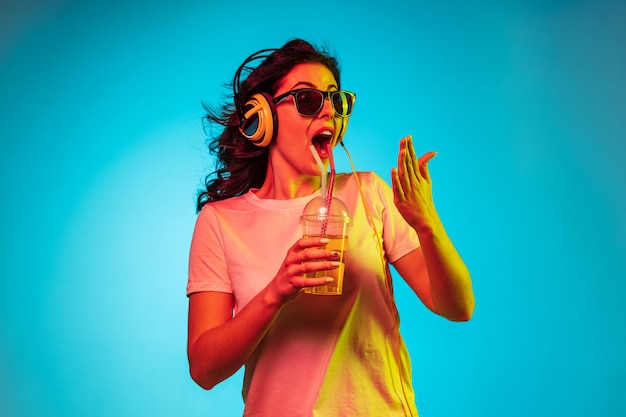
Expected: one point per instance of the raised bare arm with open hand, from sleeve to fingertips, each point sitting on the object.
(436, 271)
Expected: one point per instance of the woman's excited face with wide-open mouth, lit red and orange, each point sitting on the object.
(296, 133)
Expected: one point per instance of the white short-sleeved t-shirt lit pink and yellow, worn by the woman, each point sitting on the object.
(324, 355)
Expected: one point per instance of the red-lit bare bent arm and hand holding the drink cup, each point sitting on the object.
(219, 344)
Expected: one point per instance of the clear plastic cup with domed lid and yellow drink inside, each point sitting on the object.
(332, 223)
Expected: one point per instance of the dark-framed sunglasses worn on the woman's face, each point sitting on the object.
(310, 101)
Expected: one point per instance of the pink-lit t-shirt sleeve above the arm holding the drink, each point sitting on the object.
(207, 260)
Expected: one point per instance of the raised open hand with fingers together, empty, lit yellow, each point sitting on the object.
(412, 187)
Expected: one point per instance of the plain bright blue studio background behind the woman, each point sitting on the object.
(102, 150)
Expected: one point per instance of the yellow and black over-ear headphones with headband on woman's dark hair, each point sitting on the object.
(258, 121)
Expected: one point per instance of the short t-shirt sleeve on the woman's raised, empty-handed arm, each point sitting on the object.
(399, 238)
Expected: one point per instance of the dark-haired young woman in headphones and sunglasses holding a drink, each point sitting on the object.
(308, 354)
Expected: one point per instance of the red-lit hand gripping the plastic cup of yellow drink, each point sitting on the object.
(306, 255)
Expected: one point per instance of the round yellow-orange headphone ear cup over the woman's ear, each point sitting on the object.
(259, 123)
